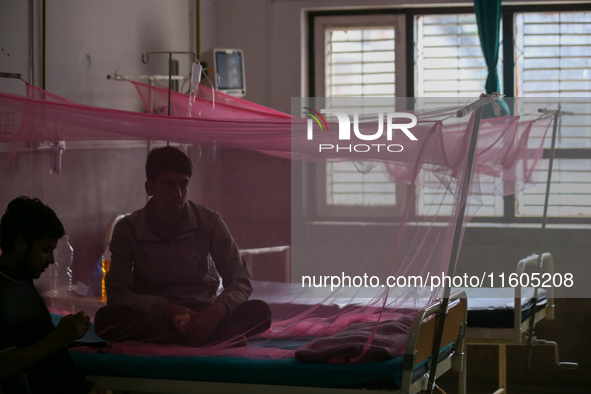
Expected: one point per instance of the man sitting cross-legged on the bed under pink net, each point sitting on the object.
(163, 281)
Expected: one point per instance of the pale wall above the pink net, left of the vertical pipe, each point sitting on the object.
(88, 39)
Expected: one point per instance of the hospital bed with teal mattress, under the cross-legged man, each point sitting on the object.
(407, 373)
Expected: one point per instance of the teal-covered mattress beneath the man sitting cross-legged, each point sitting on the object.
(242, 370)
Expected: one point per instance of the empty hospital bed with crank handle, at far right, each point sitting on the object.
(501, 317)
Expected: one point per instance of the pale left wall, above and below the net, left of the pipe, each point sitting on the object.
(85, 41)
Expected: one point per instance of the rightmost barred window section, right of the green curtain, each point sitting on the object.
(553, 59)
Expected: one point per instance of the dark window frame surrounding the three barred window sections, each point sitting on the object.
(508, 40)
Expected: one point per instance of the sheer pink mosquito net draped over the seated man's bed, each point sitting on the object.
(421, 245)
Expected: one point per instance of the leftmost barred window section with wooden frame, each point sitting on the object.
(357, 57)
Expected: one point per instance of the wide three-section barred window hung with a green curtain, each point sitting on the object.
(547, 51)
